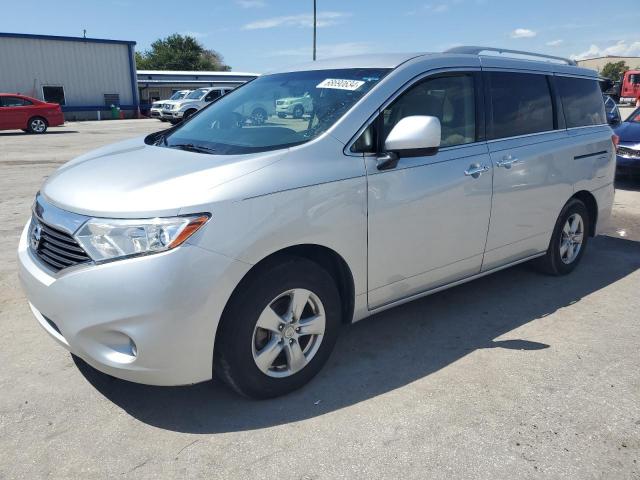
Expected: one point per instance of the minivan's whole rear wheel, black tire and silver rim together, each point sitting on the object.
(569, 240)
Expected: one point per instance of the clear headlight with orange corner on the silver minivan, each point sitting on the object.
(107, 239)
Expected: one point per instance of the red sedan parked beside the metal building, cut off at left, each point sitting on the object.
(28, 114)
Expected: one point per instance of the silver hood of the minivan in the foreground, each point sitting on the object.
(134, 180)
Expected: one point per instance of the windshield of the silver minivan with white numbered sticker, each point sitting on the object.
(275, 111)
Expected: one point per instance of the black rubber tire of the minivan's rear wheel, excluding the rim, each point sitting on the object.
(552, 263)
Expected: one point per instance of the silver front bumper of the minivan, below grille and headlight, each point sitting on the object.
(148, 319)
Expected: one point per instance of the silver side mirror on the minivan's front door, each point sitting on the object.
(414, 136)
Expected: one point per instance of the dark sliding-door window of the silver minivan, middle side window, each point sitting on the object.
(521, 104)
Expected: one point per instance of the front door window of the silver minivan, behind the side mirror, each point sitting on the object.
(450, 98)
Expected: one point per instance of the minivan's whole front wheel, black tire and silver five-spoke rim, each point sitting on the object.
(279, 329)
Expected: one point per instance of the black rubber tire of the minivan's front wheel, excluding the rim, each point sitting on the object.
(234, 351)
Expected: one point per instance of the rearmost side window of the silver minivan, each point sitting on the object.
(581, 101)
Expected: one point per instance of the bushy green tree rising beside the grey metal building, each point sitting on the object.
(180, 52)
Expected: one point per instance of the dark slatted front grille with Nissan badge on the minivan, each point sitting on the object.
(55, 248)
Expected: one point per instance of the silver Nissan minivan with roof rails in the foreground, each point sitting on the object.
(234, 248)
